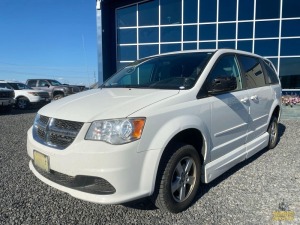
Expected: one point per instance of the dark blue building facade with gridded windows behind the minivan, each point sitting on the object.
(129, 30)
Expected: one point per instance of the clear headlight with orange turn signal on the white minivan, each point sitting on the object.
(116, 131)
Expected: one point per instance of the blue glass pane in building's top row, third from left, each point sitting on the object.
(170, 11)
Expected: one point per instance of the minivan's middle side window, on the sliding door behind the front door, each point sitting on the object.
(253, 72)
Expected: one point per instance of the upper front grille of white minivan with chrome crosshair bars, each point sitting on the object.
(55, 133)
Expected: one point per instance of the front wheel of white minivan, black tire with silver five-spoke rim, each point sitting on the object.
(178, 179)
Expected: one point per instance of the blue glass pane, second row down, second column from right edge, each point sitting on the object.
(267, 29)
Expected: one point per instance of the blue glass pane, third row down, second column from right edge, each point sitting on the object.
(266, 47)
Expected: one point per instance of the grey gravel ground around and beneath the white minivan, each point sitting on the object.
(247, 194)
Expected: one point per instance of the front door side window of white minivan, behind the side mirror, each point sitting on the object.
(226, 66)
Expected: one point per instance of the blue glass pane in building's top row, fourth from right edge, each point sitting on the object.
(227, 10)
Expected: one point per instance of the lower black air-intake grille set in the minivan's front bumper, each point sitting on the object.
(88, 184)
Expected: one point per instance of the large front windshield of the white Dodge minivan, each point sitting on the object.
(178, 71)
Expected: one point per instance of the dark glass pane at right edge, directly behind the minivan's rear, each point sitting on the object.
(289, 73)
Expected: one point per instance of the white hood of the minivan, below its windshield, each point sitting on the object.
(106, 103)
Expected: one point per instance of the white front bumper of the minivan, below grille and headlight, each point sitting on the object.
(130, 173)
